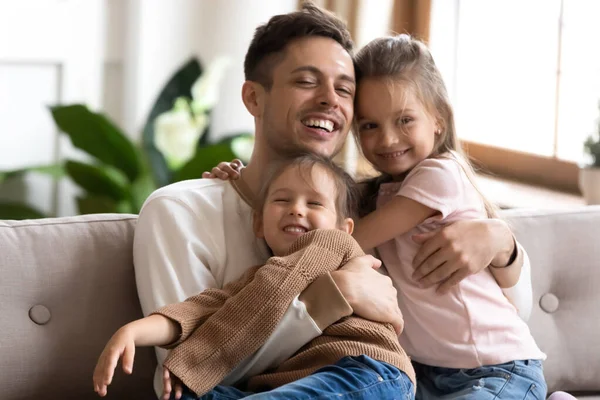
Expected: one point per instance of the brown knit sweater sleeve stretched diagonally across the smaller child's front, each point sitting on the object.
(245, 321)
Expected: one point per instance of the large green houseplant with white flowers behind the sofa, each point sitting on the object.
(119, 174)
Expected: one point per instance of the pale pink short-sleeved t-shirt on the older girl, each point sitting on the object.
(472, 325)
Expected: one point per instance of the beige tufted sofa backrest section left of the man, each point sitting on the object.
(67, 285)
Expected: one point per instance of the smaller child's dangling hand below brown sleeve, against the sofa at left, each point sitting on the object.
(120, 345)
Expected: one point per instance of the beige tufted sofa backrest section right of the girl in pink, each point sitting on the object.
(565, 259)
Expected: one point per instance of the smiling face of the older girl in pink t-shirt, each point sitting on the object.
(396, 132)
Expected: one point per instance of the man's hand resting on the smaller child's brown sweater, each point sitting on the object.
(370, 294)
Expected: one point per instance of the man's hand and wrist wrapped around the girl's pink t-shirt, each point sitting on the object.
(449, 255)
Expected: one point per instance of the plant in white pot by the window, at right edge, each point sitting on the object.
(589, 173)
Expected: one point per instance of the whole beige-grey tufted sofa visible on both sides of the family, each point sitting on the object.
(67, 284)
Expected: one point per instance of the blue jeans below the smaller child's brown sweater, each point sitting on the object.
(350, 378)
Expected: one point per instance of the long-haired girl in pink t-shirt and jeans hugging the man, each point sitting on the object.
(468, 342)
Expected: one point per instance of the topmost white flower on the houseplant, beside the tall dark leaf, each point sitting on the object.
(205, 91)
